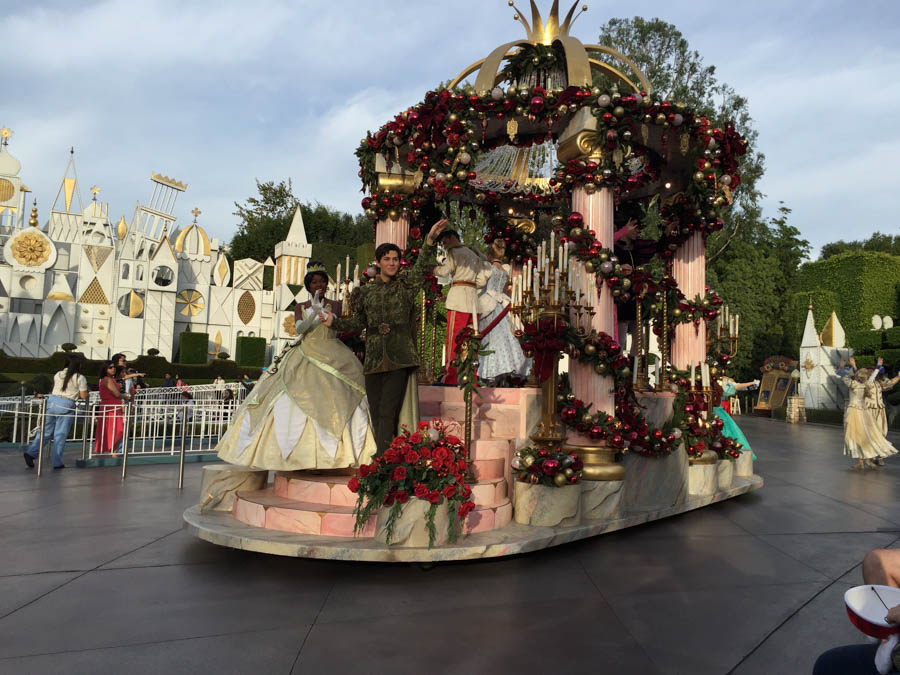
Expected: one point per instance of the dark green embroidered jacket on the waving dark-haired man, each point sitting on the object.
(387, 312)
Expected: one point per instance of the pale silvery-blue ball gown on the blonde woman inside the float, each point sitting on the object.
(506, 357)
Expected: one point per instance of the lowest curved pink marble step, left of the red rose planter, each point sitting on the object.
(263, 508)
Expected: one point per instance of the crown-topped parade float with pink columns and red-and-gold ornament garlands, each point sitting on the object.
(543, 141)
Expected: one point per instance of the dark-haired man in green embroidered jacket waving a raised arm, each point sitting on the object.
(386, 309)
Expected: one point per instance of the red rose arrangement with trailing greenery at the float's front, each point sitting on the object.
(426, 464)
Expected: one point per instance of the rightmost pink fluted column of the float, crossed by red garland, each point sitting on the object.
(689, 270)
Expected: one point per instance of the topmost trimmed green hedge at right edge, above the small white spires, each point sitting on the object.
(864, 284)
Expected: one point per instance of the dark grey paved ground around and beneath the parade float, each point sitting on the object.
(99, 577)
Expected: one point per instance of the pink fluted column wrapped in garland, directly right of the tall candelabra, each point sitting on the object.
(597, 209)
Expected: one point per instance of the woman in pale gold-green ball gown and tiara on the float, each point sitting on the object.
(309, 409)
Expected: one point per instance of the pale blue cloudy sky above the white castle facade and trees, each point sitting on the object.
(220, 93)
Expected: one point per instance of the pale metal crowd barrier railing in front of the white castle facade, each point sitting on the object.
(136, 428)
